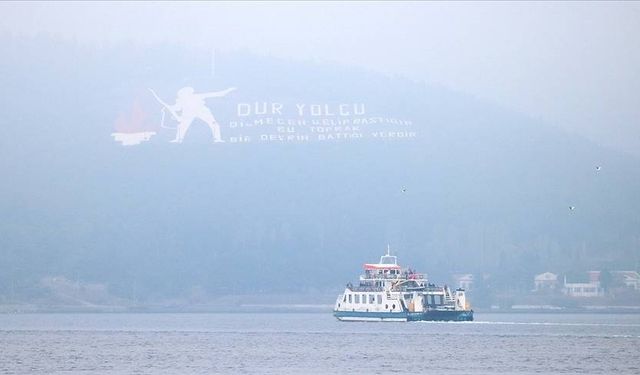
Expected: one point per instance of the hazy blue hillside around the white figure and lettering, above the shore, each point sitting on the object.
(478, 190)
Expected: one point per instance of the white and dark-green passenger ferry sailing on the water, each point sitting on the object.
(386, 292)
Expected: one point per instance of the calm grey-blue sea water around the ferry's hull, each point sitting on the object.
(316, 343)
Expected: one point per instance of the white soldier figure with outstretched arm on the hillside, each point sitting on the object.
(192, 106)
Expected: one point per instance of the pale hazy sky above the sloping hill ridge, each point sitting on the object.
(573, 64)
